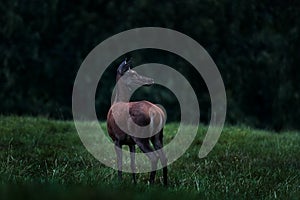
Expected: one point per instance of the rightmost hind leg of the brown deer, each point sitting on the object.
(157, 142)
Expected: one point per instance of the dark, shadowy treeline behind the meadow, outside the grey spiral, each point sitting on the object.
(254, 43)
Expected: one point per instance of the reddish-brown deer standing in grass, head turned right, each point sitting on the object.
(142, 113)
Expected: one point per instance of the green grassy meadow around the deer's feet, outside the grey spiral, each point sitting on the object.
(41, 158)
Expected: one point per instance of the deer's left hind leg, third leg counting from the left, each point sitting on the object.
(144, 145)
